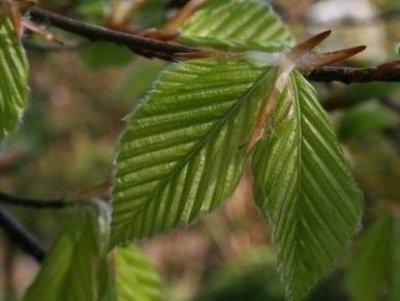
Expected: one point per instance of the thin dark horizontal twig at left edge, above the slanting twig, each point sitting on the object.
(10, 199)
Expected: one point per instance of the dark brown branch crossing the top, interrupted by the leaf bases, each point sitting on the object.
(389, 72)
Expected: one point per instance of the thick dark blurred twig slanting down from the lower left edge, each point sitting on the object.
(18, 235)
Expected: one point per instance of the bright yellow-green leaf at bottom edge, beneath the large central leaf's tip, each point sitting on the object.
(136, 276)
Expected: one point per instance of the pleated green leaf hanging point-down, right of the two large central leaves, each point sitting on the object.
(303, 184)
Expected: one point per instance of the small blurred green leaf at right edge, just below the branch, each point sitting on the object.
(365, 119)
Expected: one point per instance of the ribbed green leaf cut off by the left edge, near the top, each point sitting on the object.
(13, 71)
